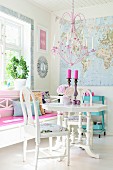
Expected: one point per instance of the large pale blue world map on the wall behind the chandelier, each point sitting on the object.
(97, 68)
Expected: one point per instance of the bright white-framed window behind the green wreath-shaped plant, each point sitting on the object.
(13, 43)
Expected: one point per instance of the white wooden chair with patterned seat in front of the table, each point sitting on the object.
(39, 130)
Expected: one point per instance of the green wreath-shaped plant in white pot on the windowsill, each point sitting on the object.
(18, 70)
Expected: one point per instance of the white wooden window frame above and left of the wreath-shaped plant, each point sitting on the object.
(9, 46)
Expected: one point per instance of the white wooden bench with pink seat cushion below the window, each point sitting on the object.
(11, 128)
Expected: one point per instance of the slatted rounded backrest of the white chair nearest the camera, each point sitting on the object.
(26, 96)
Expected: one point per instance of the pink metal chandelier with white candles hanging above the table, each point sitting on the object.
(73, 46)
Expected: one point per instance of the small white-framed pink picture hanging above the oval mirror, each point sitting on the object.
(42, 39)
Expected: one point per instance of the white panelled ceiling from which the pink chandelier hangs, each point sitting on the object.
(57, 5)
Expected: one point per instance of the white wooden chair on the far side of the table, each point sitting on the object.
(74, 120)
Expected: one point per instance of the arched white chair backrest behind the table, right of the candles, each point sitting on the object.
(83, 93)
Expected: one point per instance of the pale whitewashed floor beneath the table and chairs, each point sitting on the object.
(11, 157)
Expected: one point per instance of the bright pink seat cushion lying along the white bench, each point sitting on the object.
(4, 121)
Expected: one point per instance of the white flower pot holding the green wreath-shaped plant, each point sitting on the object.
(19, 83)
